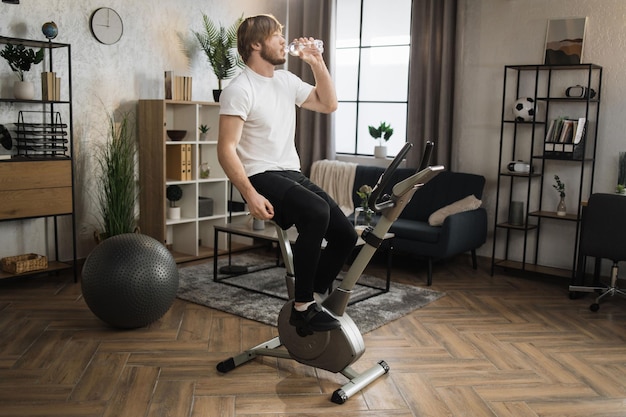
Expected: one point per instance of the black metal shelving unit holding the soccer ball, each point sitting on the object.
(526, 140)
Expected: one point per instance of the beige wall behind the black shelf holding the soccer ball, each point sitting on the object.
(495, 33)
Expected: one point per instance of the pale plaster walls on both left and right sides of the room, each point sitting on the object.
(492, 33)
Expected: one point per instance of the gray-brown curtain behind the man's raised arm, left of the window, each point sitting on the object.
(313, 130)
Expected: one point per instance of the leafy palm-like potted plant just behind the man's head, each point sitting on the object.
(220, 47)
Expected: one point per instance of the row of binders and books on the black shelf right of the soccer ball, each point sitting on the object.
(564, 138)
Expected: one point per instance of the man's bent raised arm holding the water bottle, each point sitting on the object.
(323, 98)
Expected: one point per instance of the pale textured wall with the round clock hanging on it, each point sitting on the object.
(106, 78)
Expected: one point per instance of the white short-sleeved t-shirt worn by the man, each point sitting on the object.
(267, 106)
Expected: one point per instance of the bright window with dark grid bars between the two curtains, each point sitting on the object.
(372, 72)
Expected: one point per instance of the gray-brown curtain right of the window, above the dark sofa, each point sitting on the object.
(431, 79)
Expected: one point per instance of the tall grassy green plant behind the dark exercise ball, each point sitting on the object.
(117, 188)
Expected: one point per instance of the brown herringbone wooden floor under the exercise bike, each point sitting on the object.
(492, 346)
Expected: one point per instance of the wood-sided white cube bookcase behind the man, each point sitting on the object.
(205, 199)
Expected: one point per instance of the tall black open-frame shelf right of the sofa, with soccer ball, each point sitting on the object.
(528, 245)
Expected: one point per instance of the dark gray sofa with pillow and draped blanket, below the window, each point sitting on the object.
(461, 232)
